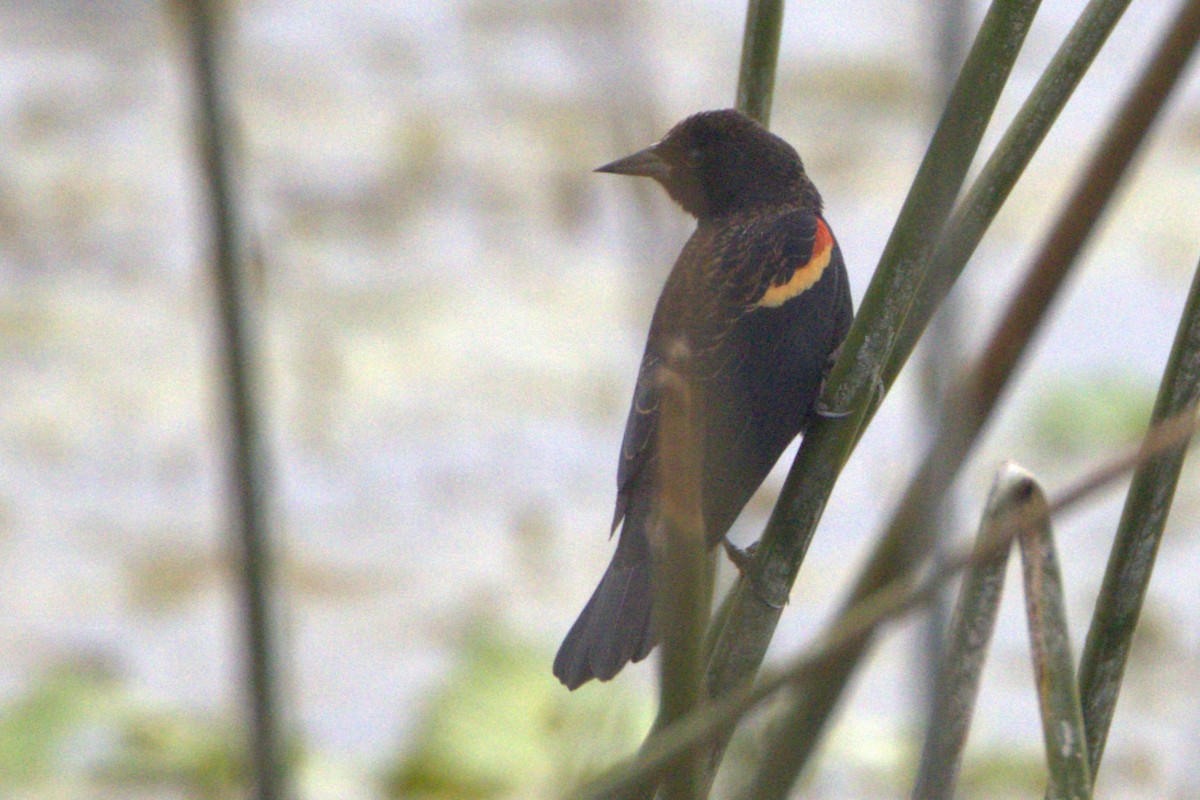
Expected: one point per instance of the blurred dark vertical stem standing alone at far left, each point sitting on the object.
(248, 466)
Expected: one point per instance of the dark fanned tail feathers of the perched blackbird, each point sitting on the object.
(616, 627)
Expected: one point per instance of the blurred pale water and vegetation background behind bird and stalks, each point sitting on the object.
(454, 309)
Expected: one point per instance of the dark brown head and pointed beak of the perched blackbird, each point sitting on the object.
(717, 163)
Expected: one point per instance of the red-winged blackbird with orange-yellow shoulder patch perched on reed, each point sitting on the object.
(761, 298)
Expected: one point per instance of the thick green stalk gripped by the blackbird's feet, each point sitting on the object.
(759, 601)
